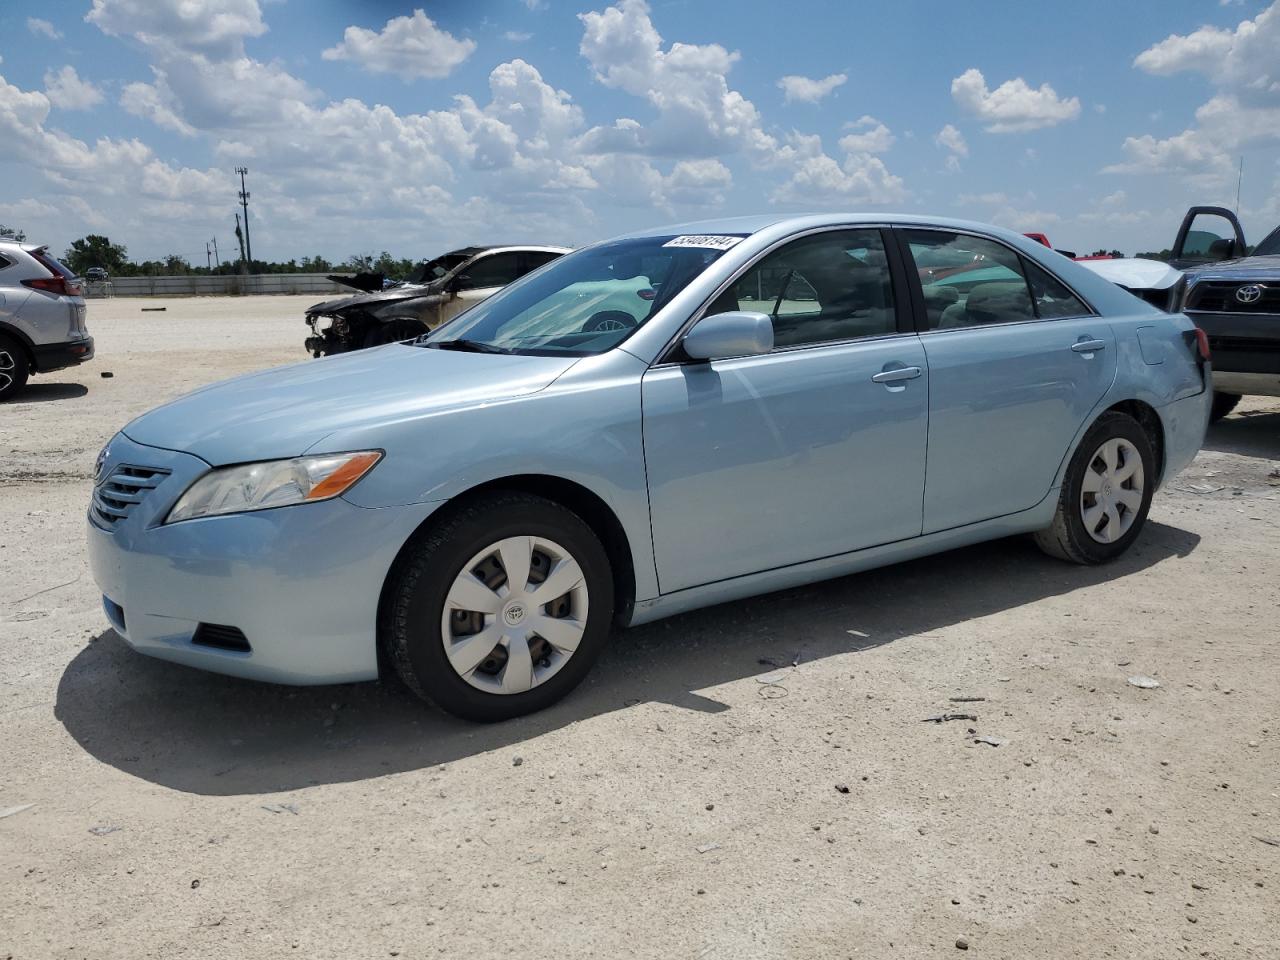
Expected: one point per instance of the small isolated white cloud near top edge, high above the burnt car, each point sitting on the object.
(408, 47)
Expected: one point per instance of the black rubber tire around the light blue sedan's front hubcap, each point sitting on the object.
(412, 629)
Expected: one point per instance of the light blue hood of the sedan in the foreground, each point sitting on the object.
(284, 413)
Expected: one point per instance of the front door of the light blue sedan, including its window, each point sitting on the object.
(808, 452)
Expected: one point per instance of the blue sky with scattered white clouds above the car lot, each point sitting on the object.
(413, 129)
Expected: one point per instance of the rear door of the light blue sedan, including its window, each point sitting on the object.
(1017, 365)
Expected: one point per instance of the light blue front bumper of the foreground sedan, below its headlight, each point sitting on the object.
(301, 583)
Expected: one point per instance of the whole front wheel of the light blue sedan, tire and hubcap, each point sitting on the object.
(501, 610)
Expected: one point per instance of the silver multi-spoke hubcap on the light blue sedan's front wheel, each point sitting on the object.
(515, 615)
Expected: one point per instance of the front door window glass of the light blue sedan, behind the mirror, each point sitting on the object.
(820, 290)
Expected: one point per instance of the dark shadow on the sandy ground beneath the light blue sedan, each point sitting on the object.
(213, 735)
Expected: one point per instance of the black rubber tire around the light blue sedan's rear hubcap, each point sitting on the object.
(1067, 538)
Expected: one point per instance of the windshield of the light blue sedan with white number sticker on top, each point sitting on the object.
(586, 303)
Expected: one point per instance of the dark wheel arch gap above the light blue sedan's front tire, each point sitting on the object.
(568, 493)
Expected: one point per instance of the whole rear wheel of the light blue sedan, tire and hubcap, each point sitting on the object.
(1107, 493)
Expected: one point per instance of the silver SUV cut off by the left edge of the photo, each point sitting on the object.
(42, 317)
